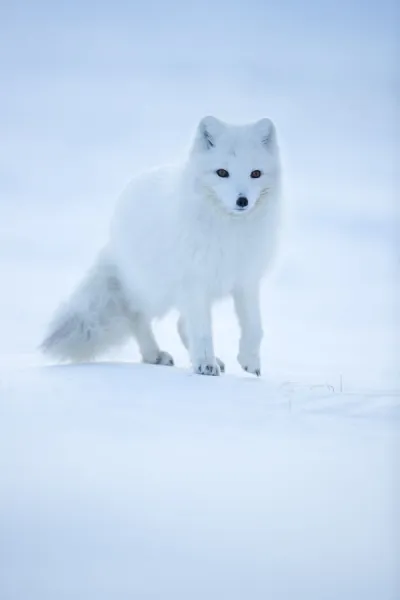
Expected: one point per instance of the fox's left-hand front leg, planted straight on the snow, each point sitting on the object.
(196, 314)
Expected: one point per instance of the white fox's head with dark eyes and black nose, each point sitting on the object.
(237, 165)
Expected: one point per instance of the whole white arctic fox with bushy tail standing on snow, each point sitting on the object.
(181, 238)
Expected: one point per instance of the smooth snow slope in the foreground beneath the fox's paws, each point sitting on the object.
(123, 480)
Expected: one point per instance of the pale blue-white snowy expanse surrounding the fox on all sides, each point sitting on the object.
(119, 480)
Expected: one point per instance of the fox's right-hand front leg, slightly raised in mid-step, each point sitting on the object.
(247, 305)
